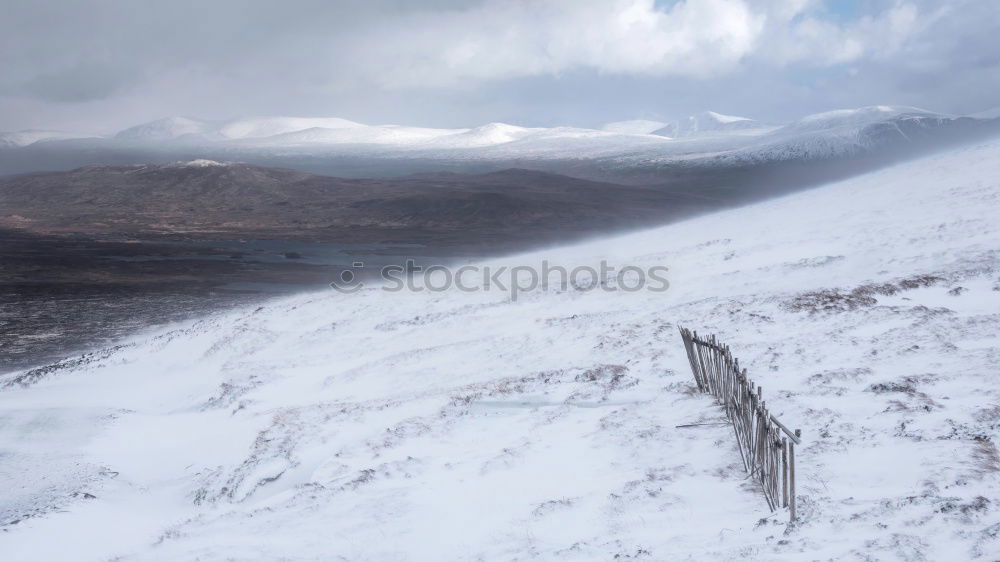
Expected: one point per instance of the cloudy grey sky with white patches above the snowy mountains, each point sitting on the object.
(102, 65)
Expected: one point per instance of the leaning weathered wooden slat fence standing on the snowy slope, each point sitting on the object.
(766, 445)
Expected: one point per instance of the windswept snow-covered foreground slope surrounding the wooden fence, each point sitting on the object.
(462, 425)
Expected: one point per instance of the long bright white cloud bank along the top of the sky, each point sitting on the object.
(500, 39)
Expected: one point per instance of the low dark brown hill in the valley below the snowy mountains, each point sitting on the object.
(507, 208)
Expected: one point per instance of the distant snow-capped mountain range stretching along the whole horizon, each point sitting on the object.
(708, 139)
